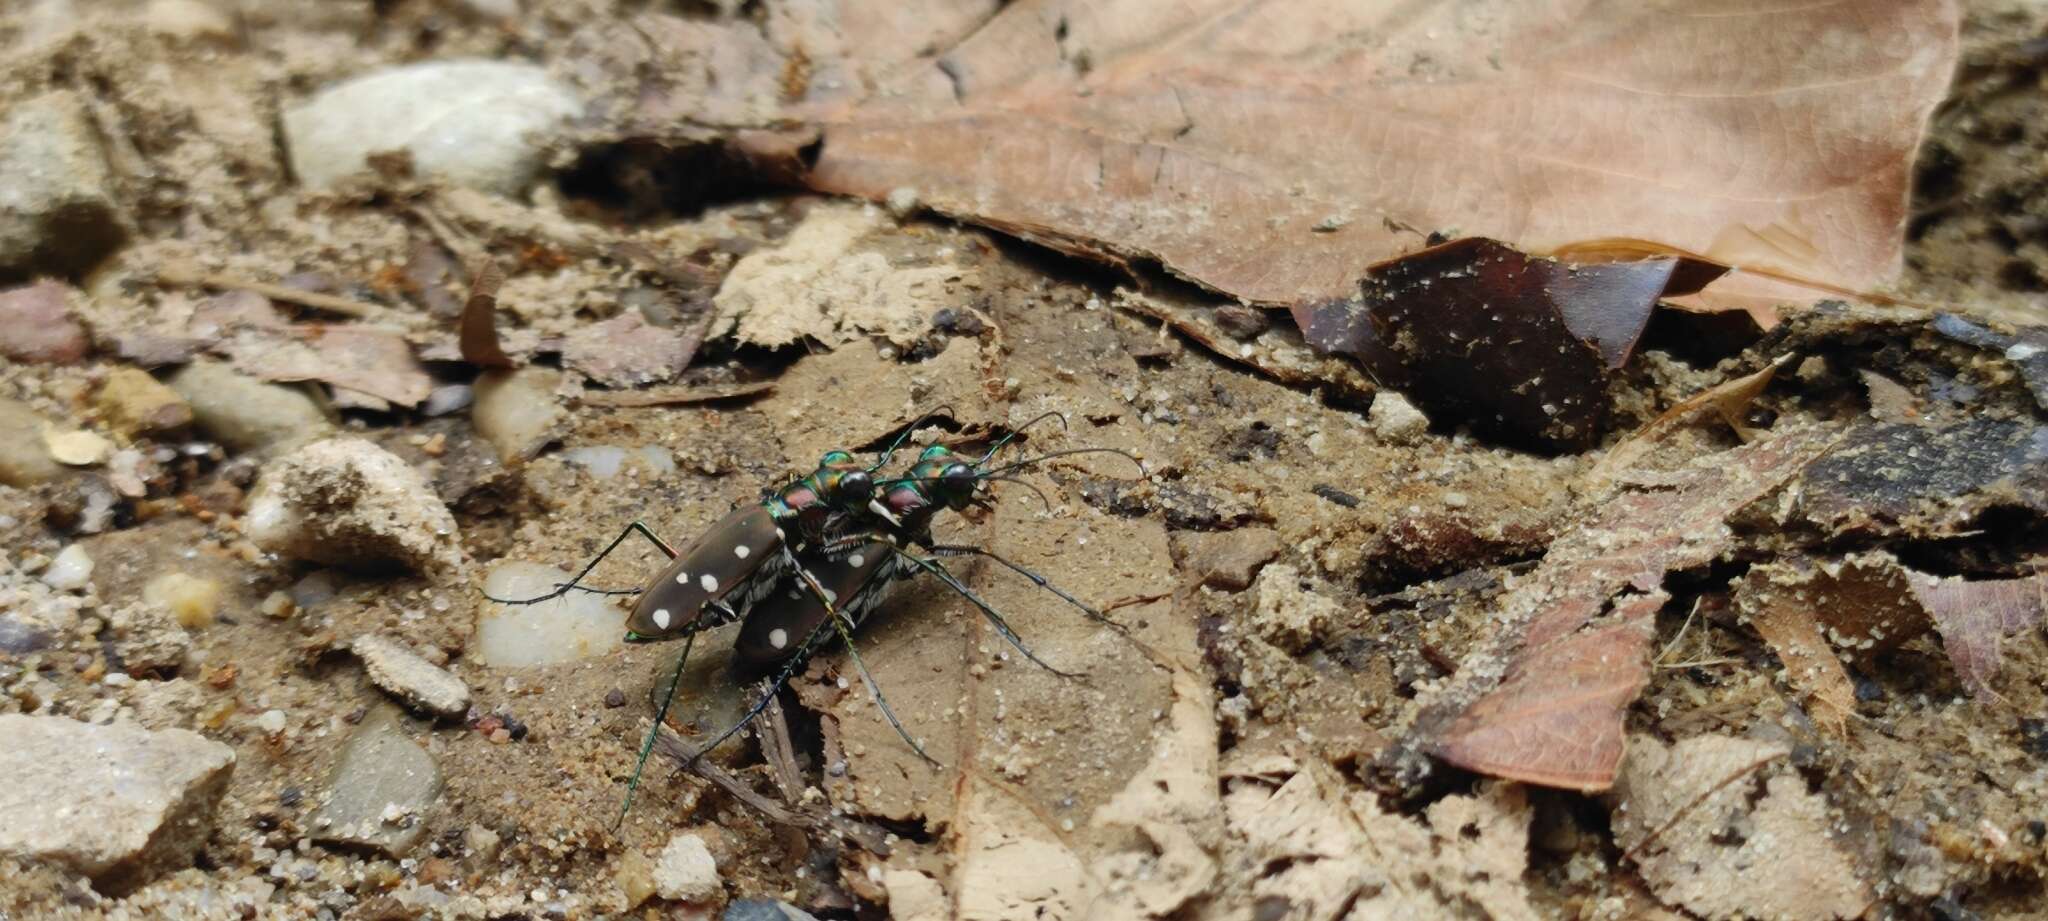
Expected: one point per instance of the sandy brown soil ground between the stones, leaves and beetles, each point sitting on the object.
(1134, 791)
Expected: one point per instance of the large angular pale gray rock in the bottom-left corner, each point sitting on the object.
(114, 803)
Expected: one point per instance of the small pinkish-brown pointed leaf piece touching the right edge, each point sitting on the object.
(1975, 617)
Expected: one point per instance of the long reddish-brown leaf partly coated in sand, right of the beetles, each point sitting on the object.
(1482, 717)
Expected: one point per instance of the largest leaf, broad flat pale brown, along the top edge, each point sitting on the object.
(1277, 152)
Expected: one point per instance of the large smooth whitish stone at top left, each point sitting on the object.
(474, 124)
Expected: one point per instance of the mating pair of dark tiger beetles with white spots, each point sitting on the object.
(812, 560)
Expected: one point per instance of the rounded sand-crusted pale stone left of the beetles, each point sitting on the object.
(349, 502)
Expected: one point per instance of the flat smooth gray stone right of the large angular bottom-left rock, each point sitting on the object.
(380, 791)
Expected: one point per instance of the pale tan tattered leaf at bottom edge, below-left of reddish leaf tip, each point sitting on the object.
(1324, 850)
